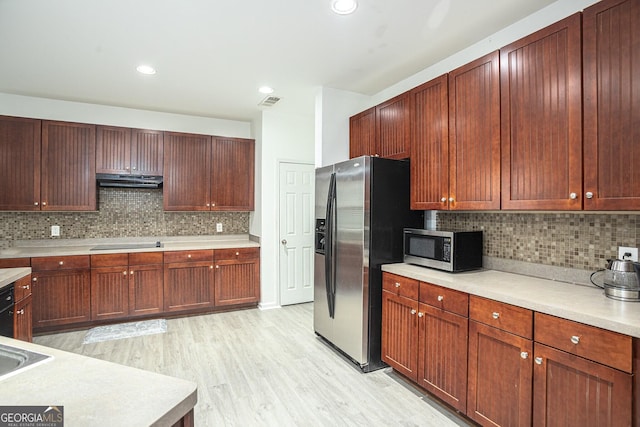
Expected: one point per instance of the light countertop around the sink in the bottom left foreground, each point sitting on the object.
(97, 393)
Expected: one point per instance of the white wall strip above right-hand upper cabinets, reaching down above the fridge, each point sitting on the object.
(547, 16)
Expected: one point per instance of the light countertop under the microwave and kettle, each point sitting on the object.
(581, 303)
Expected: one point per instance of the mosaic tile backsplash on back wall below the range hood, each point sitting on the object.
(121, 213)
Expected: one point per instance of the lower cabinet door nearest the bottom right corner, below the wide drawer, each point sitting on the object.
(572, 391)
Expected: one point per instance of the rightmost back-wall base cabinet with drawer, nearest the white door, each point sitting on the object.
(237, 276)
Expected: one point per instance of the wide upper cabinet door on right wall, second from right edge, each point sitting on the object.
(542, 120)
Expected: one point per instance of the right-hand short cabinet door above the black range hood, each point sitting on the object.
(147, 152)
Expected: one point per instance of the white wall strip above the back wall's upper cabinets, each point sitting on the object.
(50, 109)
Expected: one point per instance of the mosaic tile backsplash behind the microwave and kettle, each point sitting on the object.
(573, 240)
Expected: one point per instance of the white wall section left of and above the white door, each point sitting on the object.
(285, 137)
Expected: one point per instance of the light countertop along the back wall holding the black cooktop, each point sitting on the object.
(59, 247)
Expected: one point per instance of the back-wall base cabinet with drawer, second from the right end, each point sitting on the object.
(188, 280)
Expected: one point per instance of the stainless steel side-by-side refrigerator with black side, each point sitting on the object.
(362, 206)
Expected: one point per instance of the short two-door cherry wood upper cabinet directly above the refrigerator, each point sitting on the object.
(383, 130)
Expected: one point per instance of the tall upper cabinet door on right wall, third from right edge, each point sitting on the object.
(474, 135)
